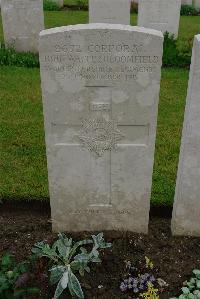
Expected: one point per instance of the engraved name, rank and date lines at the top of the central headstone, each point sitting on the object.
(103, 64)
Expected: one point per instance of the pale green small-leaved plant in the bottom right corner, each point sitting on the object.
(191, 289)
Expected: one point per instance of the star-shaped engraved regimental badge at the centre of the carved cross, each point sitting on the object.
(99, 135)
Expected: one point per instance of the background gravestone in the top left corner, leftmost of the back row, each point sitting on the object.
(22, 22)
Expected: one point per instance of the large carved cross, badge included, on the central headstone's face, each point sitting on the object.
(101, 135)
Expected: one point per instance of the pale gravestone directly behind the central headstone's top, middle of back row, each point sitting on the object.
(109, 11)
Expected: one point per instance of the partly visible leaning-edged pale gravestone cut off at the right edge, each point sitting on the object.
(186, 213)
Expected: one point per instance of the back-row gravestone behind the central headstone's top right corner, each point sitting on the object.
(163, 15)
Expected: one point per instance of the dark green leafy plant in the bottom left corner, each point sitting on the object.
(14, 278)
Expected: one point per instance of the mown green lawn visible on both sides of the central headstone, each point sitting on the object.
(23, 171)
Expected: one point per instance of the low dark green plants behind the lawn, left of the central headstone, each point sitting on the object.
(22, 59)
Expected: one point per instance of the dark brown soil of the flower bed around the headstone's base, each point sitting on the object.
(21, 225)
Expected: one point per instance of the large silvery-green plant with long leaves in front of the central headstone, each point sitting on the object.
(68, 257)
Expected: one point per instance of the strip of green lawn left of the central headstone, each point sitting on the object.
(23, 171)
